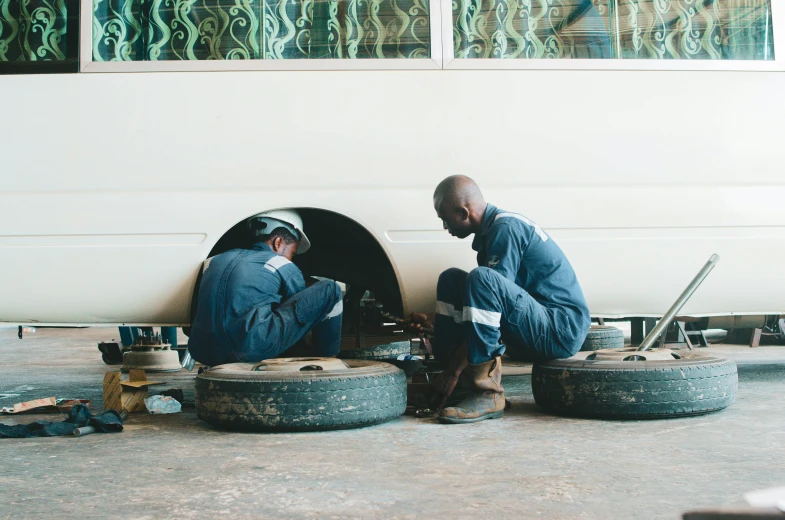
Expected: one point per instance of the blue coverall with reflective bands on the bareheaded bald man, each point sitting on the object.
(525, 293)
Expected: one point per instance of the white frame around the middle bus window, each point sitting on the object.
(88, 65)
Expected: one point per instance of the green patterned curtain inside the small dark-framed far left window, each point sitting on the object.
(32, 30)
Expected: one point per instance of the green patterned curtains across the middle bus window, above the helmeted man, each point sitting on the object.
(140, 30)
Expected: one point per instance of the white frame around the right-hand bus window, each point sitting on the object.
(450, 62)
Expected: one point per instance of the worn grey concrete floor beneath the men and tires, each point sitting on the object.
(526, 465)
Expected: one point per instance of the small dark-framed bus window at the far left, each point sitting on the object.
(39, 36)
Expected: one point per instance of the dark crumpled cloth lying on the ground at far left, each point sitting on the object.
(106, 422)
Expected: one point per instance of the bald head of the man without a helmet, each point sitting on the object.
(460, 204)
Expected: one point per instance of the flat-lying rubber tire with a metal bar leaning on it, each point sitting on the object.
(696, 384)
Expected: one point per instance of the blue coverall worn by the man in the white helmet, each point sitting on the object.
(253, 305)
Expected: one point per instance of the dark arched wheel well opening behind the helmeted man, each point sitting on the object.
(341, 249)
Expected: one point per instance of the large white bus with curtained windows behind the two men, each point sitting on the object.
(643, 135)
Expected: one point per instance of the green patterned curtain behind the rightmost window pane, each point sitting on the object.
(697, 29)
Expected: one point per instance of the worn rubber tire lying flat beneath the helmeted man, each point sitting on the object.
(370, 393)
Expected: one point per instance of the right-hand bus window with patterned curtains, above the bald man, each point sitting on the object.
(602, 29)
